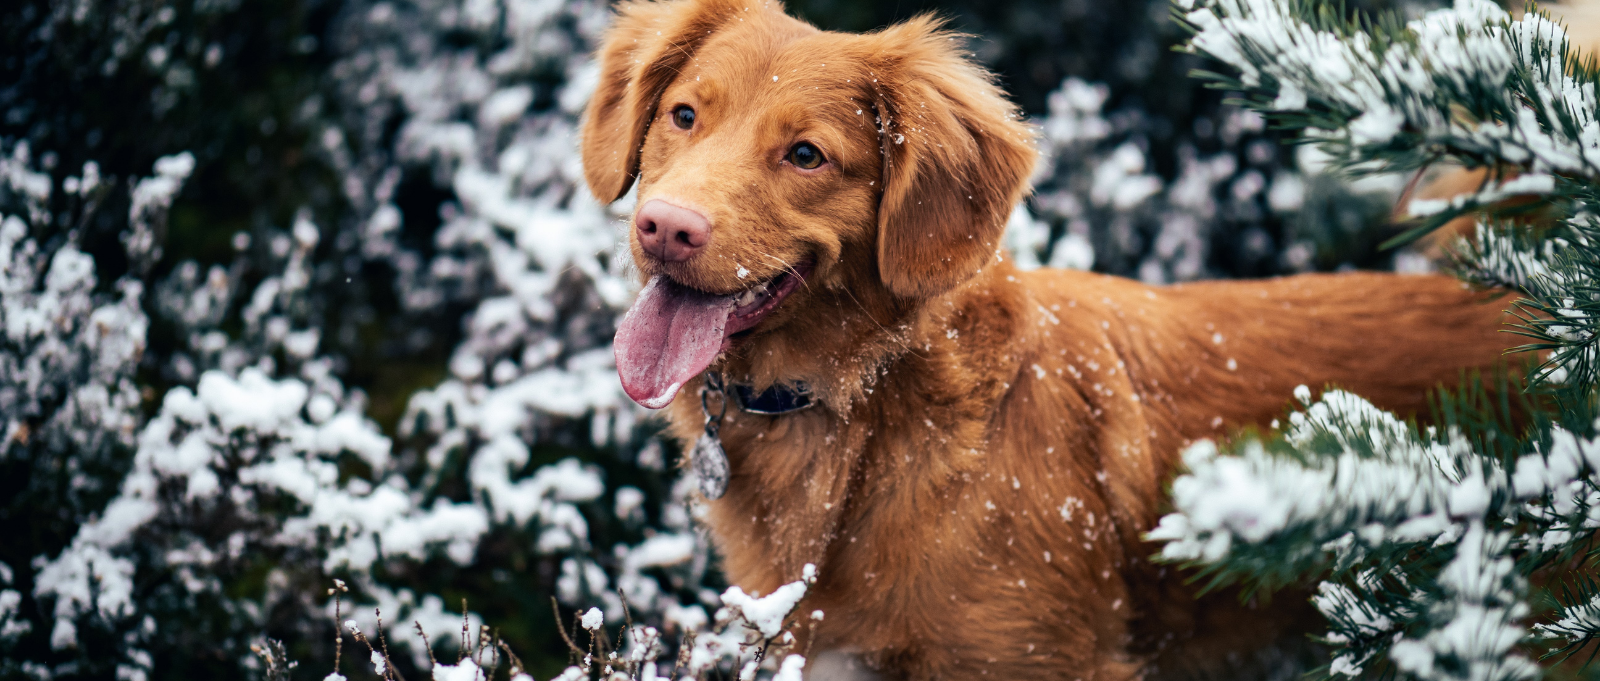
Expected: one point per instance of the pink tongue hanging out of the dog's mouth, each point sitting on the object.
(671, 335)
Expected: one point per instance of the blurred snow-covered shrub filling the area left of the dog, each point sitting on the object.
(258, 474)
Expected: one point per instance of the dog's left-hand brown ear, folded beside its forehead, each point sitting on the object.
(644, 50)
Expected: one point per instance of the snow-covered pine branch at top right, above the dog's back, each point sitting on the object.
(1466, 84)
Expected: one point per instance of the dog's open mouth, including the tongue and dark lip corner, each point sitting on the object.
(673, 333)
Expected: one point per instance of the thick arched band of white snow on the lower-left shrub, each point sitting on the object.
(186, 440)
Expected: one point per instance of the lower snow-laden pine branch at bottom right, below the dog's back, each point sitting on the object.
(1423, 540)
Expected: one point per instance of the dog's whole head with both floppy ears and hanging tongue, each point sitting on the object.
(777, 162)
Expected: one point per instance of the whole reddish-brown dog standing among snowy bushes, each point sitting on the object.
(988, 445)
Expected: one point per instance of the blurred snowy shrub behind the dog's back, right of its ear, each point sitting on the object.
(1242, 209)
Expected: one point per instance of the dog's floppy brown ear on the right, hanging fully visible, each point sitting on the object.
(956, 161)
